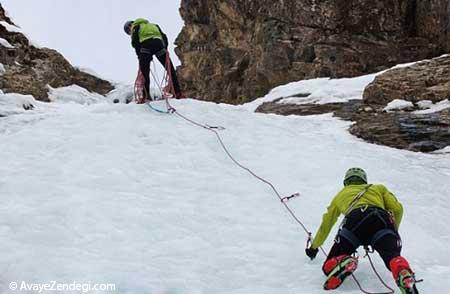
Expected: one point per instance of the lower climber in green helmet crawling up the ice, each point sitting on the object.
(372, 218)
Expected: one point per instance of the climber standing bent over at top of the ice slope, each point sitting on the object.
(148, 40)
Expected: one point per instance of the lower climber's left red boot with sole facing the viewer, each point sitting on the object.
(338, 269)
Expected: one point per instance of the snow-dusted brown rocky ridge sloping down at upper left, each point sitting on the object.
(28, 70)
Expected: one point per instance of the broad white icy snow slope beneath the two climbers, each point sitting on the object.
(117, 193)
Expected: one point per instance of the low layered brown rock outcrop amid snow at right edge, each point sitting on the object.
(405, 129)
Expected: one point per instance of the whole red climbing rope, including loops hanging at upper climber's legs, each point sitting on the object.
(284, 200)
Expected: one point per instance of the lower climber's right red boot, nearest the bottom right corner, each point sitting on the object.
(403, 275)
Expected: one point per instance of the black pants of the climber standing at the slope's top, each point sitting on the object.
(155, 47)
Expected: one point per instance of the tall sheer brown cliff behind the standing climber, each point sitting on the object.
(236, 50)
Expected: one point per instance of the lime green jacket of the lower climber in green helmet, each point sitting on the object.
(376, 195)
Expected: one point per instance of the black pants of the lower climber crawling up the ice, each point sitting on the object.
(368, 226)
